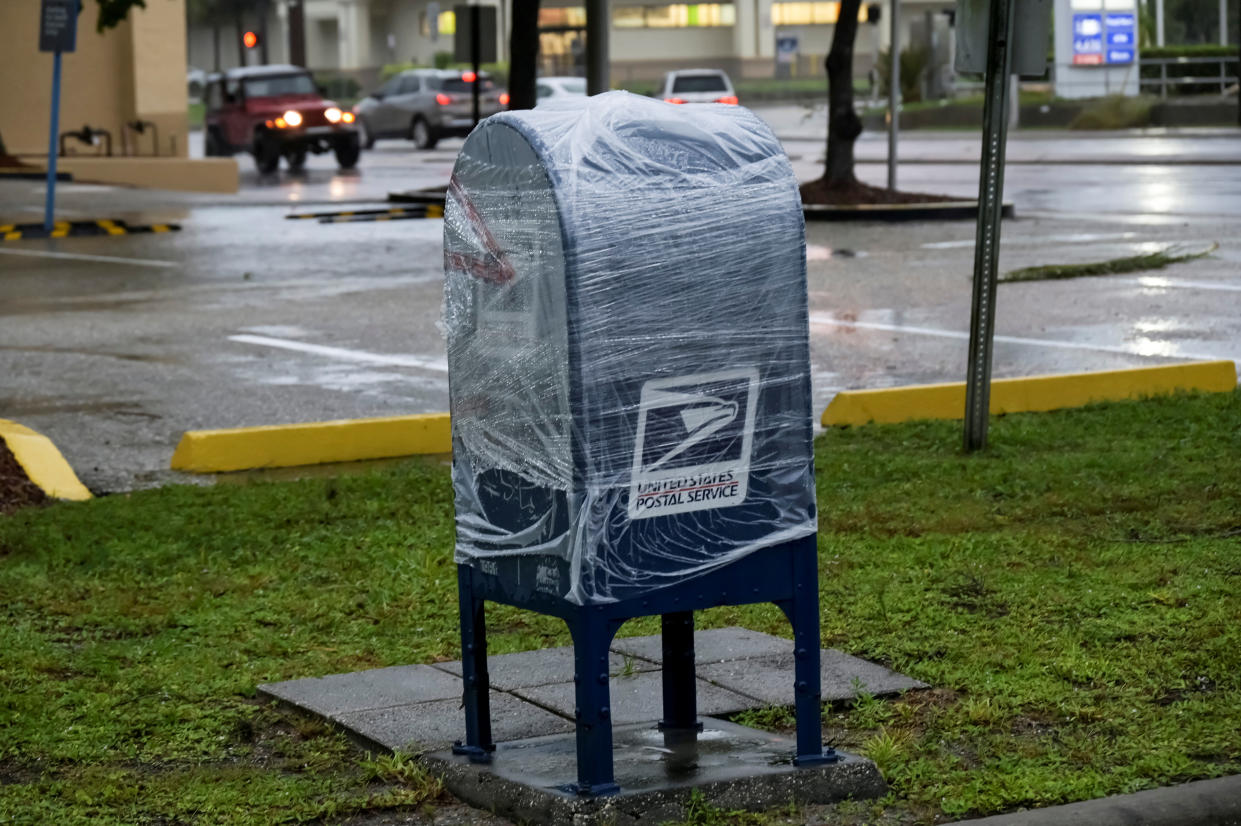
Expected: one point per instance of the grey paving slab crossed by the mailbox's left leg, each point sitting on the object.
(424, 727)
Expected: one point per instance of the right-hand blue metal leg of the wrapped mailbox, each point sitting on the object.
(804, 615)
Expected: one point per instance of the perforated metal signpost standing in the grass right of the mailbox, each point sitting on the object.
(987, 245)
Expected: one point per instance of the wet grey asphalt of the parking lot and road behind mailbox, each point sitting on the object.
(115, 347)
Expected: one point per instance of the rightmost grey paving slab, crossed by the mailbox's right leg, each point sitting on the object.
(770, 680)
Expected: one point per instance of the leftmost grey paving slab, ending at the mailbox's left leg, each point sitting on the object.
(367, 690)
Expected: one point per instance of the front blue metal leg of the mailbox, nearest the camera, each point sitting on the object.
(593, 637)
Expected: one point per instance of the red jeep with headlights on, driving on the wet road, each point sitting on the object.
(274, 111)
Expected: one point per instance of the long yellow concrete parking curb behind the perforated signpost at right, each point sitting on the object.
(1028, 395)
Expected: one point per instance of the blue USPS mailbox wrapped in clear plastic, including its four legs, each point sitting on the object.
(626, 322)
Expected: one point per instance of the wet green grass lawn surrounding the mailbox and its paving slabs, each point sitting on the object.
(1073, 597)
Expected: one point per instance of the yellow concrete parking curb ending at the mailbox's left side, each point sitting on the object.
(315, 443)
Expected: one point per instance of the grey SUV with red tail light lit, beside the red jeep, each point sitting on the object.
(426, 106)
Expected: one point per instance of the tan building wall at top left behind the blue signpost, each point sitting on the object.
(136, 71)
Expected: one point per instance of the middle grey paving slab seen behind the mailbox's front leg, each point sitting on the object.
(637, 699)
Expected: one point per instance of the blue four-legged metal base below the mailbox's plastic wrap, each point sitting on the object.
(786, 575)
